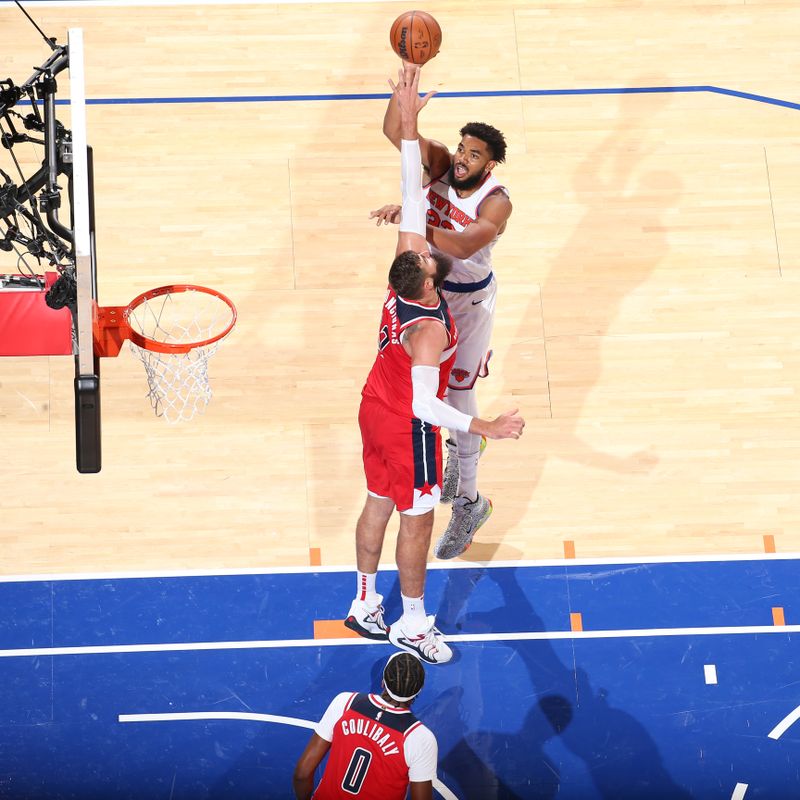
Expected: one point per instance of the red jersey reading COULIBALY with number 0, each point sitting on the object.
(376, 749)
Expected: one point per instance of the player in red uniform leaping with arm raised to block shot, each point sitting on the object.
(402, 409)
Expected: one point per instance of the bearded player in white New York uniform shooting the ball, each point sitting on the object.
(467, 211)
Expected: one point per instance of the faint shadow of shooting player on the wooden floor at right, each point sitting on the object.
(619, 240)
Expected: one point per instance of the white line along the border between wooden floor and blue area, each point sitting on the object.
(545, 562)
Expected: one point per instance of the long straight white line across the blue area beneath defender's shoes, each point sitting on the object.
(266, 644)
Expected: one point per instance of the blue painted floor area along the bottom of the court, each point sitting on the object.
(98, 676)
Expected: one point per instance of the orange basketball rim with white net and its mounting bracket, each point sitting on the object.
(174, 330)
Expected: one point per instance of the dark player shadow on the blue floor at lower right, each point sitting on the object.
(621, 759)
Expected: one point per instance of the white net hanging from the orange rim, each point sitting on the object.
(179, 385)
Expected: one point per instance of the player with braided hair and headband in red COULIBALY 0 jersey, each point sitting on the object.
(378, 748)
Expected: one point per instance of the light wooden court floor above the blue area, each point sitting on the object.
(649, 280)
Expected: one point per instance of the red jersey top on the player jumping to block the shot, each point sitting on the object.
(389, 380)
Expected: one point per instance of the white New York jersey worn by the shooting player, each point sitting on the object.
(449, 211)
